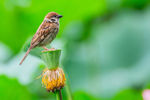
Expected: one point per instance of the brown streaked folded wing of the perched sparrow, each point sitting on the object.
(41, 33)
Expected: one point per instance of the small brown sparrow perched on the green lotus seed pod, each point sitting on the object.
(46, 33)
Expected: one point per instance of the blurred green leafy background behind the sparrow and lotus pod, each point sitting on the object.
(105, 48)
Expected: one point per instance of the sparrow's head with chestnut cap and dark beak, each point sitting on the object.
(53, 17)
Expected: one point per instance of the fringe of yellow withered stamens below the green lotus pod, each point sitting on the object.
(53, 79)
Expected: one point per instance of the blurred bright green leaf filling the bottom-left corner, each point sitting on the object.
(11, 89)
